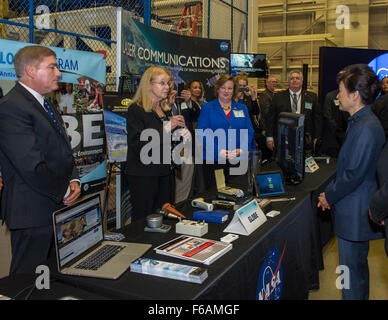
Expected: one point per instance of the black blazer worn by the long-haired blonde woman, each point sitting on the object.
(137, 121)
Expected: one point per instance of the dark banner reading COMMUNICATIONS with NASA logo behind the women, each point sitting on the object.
(187, 58)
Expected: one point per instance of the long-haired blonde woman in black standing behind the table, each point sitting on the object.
(149, 172)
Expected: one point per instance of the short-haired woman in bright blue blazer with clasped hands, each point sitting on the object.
(225, 132)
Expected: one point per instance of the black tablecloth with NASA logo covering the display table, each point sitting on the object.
(236, 274)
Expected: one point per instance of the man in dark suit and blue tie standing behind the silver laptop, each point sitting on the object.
(36, 159)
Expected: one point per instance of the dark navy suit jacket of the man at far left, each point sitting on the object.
(36, 161)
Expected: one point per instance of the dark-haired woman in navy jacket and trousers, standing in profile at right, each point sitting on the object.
(349, 194)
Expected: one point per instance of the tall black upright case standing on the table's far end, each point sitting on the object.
(290, 154)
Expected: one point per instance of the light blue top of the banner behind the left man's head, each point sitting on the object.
(73, 64)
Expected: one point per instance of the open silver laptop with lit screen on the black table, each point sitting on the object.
(80, 246)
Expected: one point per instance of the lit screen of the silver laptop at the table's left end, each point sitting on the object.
(77, 229)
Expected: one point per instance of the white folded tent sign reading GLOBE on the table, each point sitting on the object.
(246, 219)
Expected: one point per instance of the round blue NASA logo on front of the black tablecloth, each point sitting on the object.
(270, 282)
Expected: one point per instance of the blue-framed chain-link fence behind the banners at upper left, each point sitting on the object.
(91, 25)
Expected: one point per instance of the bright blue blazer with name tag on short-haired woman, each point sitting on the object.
(213, 117)
